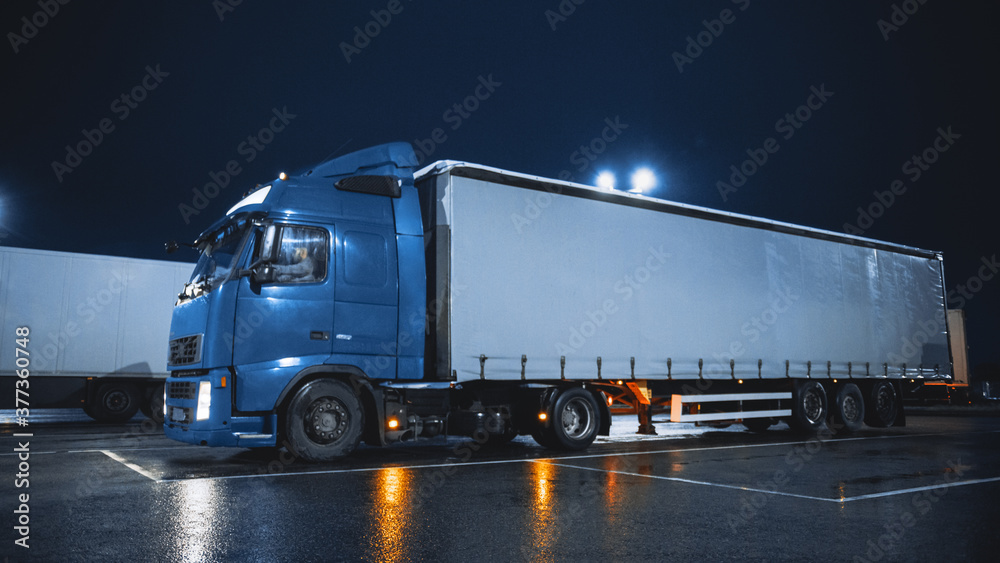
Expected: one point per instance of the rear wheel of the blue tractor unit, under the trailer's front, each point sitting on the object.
(574, 421)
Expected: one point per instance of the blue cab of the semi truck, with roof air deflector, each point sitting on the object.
(298, 282)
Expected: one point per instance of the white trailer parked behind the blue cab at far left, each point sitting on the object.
(93, 329)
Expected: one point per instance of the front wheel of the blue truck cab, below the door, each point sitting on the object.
(324, 421)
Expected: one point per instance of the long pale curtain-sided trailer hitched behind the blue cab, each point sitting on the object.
(535, 279)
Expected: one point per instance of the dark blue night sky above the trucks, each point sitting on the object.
(839, 96)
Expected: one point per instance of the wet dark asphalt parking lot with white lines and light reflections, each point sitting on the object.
(929, 491)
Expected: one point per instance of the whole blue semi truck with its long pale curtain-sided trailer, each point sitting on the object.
(364, 299)
